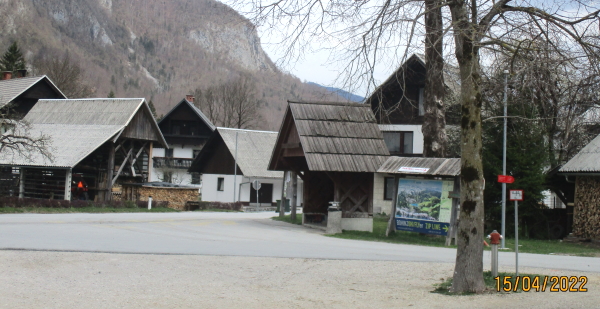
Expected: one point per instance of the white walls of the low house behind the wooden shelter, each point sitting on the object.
(210, 193)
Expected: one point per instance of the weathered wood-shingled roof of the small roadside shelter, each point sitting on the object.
(340, 137)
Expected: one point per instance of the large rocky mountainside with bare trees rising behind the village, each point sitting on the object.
(160, 50)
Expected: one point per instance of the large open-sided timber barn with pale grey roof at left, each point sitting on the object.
(89, 146)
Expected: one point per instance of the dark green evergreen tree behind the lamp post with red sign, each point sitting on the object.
(526, 161)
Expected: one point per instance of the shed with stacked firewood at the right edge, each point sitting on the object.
(584, 170)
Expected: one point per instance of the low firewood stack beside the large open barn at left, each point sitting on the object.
(177, 197)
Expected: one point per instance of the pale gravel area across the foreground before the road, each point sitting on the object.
(36, 279)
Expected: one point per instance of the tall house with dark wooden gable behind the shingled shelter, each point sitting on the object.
(398, 107)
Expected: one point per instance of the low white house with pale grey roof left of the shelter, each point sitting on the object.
(231, 160)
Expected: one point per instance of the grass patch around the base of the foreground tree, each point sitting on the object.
(498, 285)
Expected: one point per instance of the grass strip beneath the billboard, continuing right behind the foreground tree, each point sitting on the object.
(538, 246)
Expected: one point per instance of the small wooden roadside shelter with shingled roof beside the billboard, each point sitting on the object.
(335, 148)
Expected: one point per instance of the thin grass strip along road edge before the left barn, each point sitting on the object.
(47, 210)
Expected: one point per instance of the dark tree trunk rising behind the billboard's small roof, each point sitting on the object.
(434, 123)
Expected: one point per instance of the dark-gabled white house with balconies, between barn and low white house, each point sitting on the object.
(186, 129)
